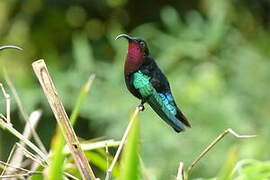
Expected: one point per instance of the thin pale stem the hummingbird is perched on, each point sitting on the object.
(122, 142)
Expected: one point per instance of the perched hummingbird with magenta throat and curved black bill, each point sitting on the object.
(145, 80)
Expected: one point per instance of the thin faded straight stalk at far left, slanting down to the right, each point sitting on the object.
(24, 113)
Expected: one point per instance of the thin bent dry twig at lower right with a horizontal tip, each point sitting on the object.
(213, 143)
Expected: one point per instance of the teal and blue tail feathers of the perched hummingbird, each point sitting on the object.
(171, 115)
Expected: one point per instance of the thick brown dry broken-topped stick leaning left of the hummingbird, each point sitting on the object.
(60, 114)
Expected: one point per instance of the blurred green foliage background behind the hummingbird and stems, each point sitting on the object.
(215, 54)
